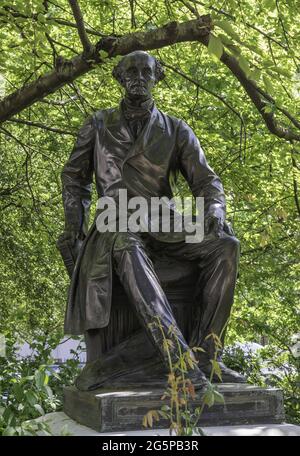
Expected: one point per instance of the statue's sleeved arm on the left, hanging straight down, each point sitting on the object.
(77, 177)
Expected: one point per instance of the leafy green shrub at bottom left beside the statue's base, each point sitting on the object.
(29, 388)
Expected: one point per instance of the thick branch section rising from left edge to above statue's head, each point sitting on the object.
(67, 71)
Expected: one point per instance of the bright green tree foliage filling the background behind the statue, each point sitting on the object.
(259, 171)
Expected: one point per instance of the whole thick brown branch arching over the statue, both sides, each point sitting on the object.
(67, 71)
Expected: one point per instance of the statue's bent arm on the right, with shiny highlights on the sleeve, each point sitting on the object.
(202, 180)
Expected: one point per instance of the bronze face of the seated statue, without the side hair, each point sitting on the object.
(139, 75)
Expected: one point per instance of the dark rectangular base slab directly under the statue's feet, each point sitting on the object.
(107, 410)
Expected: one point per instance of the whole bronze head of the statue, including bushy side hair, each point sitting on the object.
(138, 72)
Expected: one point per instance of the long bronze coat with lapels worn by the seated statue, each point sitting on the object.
(106, 148)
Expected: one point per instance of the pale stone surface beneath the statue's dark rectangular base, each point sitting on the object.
(59, 420)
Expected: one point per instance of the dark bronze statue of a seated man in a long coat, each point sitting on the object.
(138, 148)
